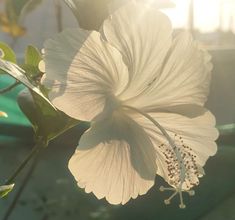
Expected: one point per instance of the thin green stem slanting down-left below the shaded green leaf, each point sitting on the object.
(33, 152)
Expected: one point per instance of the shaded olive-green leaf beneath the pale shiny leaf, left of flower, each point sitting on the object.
(47, 122)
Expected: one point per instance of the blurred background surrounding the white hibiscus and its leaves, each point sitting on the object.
(51, 193)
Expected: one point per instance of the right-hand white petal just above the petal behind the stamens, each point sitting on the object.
(185, 77)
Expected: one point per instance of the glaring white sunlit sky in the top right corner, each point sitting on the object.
(210, 15)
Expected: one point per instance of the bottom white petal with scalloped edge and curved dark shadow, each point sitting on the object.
(115, 159)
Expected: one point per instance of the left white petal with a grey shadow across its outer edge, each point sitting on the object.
(83, 72)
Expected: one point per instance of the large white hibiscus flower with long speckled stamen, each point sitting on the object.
(143, 91)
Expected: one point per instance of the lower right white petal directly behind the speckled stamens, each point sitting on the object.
(193, 136)
